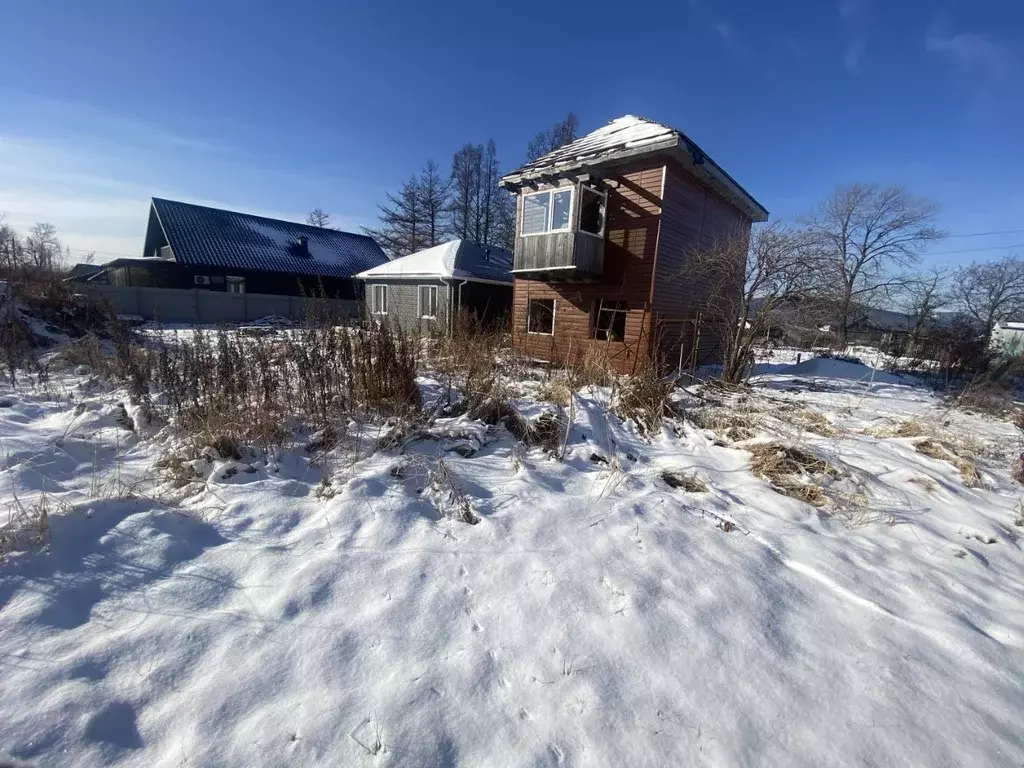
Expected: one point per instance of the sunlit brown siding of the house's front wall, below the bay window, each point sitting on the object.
(632, 236)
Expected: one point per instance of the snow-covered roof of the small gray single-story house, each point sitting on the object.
(458, 260)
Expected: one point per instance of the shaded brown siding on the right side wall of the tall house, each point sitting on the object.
(693, 217)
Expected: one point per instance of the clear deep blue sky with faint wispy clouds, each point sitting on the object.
(277, 108)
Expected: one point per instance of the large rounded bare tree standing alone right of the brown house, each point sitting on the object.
(867, 237)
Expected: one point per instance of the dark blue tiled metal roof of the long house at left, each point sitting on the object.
(210, 237)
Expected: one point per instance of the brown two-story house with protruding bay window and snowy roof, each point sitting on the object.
(607, 228)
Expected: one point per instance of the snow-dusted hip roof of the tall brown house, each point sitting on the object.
(632, 137)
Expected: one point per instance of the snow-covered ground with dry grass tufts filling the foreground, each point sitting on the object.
(594, 617)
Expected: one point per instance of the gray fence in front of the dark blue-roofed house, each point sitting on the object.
(200, 307)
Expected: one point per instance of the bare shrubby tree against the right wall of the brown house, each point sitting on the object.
(749, 280)
